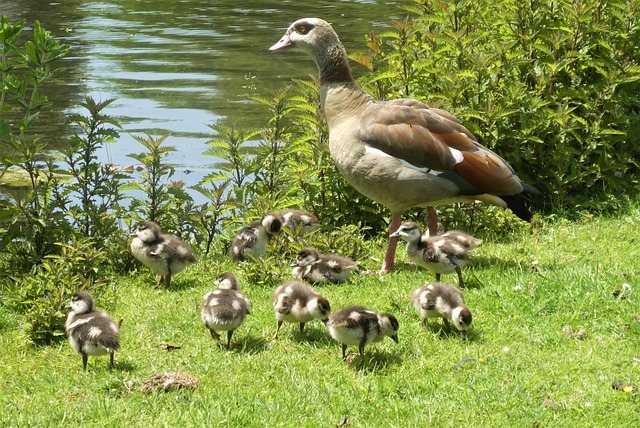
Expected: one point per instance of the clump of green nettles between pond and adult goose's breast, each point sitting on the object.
(286, 164)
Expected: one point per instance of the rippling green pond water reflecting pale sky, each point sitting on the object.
(176, 66)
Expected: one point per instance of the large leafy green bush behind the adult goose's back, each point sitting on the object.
(551, 86)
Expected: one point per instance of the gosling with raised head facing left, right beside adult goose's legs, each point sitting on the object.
(446, 253)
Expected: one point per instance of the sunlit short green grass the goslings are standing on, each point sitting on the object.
(519, 367)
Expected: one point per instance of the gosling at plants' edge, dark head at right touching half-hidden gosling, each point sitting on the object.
(251, 241)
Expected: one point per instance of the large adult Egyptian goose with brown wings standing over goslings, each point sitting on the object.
(400, 153)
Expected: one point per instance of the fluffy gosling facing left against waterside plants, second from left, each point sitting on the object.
(165, 255)
